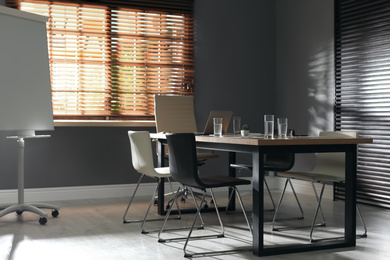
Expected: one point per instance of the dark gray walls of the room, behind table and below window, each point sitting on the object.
(245, 61)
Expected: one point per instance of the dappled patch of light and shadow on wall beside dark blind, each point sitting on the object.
(321, 94)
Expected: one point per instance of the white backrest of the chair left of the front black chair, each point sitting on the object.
(141, 152)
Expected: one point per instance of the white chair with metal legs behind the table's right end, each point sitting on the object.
(329, 168)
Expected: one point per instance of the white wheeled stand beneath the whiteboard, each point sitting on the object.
(21, 206)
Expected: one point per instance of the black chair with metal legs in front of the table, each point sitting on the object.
(184, 169)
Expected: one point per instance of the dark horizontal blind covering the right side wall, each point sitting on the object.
(362, 102)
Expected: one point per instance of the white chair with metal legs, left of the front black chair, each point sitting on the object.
(142, 160)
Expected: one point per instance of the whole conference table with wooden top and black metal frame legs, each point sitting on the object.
(257, 146)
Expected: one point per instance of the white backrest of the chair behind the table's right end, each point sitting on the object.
(333, 163)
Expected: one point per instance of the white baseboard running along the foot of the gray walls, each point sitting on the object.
(125, 190)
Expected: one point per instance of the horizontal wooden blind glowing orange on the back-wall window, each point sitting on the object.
(109, 58)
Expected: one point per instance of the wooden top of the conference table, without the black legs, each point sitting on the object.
(259, 140)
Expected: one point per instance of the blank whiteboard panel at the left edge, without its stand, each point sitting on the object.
(25, 91)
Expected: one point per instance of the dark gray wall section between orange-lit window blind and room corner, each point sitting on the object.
(235, 58)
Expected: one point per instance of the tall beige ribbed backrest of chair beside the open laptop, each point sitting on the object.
(175, 114)
